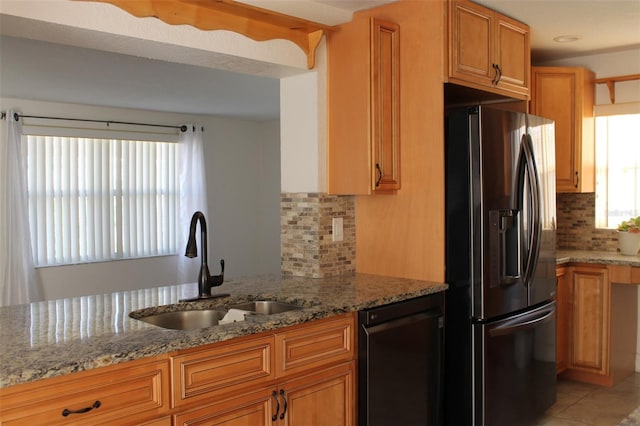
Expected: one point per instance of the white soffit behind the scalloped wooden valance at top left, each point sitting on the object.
(105, 27)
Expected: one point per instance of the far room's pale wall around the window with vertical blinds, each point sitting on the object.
(243, 185)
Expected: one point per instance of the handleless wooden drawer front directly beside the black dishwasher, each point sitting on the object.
(323, 343)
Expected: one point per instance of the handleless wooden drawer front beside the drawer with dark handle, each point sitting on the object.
(221, 369)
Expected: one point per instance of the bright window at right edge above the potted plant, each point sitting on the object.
(617, 164)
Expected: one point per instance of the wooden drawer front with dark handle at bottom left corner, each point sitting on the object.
(126, 395)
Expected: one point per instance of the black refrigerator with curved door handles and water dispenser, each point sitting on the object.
(500, 266)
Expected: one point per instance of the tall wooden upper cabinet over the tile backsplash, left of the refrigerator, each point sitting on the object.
(364, 107)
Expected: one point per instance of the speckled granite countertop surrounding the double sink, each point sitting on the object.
(53, 338)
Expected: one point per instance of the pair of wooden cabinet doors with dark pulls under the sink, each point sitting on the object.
(326, 397)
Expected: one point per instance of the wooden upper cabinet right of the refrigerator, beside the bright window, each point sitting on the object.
(566, 95)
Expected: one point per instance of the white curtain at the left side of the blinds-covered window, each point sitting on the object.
(18, 278)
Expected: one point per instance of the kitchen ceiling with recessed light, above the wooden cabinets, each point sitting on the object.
(600, 25)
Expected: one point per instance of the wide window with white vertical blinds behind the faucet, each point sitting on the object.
(100, 199)
